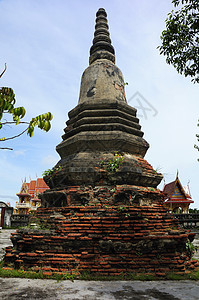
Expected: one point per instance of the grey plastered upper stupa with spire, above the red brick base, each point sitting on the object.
(101, 128)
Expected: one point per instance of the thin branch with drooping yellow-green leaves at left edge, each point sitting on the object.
(8, 107)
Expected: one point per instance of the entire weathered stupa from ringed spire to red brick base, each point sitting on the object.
(103, 212)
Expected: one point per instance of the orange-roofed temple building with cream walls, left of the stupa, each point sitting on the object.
(28, 196)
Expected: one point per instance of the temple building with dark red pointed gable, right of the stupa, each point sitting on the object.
(177, 197)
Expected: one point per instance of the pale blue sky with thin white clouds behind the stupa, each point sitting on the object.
(46, 43)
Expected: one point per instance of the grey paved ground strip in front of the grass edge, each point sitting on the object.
(16, 288)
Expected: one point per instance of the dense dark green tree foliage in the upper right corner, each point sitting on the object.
(180, 39)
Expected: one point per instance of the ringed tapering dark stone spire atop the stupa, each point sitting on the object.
(101, 48)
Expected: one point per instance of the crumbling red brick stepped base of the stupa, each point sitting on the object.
(121, 229)
